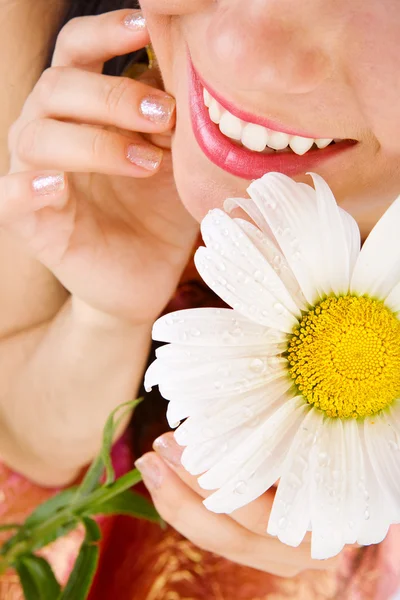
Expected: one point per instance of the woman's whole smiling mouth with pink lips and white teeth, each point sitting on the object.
(248, 146)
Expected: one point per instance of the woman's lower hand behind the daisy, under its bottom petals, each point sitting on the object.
(240, 537)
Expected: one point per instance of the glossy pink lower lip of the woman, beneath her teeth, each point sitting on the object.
(240, 161)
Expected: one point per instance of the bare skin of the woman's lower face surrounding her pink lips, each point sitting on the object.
(330, 67)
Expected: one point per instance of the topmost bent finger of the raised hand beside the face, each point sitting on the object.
(88, 42)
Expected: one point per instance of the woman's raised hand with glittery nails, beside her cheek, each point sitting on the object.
(113, 231)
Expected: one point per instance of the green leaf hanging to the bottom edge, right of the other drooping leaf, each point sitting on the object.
(82, 576)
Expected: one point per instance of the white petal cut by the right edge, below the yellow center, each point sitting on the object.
(383, 446)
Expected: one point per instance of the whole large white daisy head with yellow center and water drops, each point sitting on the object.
(301, 380)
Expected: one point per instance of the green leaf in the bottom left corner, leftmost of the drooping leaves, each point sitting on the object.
(37, 578)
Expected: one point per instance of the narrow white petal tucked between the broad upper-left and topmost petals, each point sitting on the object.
(274, 256)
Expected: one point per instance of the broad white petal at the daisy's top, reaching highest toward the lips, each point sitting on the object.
(291, 212)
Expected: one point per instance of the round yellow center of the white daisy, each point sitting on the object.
(344, 356)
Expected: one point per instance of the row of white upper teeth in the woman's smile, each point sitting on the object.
(256, 137)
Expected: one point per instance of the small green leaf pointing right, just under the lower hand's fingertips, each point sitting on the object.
(127, 503)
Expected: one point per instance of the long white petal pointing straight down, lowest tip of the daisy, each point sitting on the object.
(328, 491)
